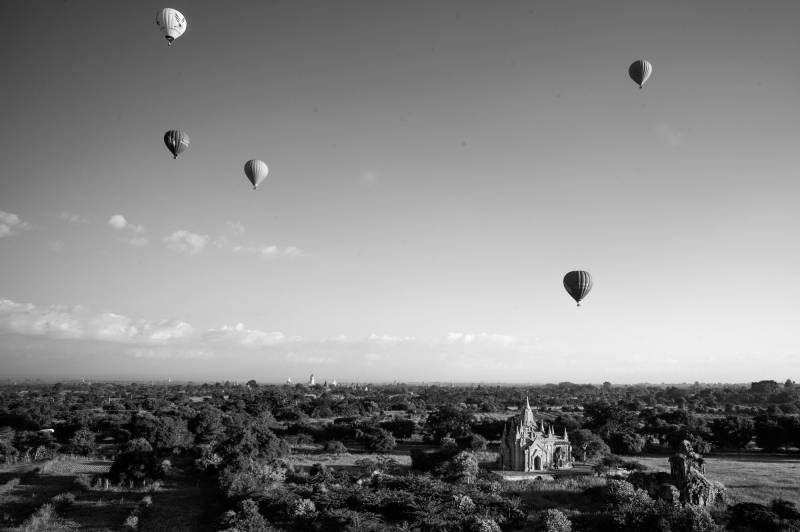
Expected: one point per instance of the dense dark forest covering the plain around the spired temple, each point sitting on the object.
(239, 440)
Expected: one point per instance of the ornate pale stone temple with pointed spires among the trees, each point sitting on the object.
(526, 446)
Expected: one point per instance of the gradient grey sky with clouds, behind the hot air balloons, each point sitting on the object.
(435, 169)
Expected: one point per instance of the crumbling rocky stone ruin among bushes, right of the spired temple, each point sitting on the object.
(686, 482)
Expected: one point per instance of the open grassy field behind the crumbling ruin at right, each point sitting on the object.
(749, 478)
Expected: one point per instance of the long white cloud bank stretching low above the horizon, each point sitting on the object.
(178, 339)
